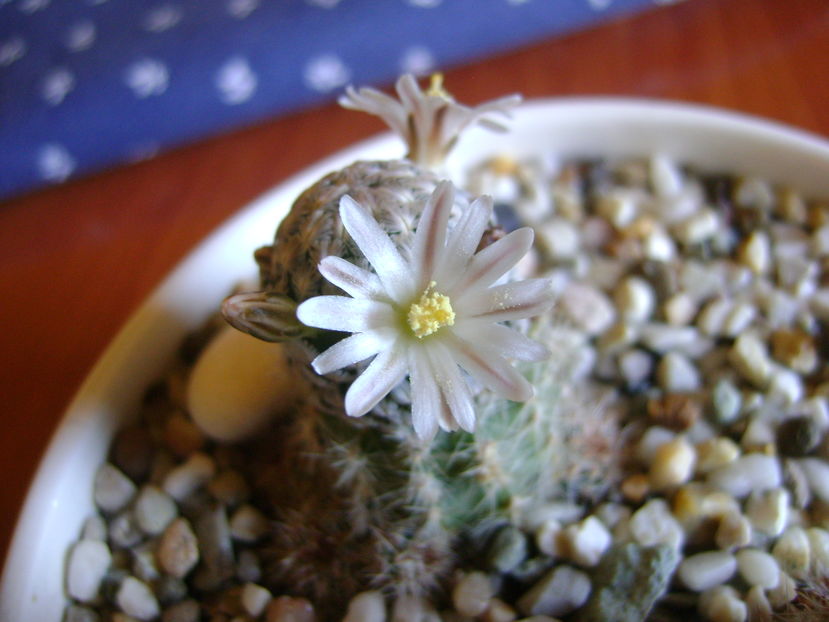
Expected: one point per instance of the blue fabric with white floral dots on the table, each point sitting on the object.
(86, 84)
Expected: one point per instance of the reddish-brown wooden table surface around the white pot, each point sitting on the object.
(77, 259)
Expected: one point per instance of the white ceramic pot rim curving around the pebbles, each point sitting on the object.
(61, 494)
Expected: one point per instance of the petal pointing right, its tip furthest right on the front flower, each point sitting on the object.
(511, 301)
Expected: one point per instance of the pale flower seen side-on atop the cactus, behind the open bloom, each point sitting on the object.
(429, 121)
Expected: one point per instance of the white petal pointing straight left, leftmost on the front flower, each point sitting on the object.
(351, 315)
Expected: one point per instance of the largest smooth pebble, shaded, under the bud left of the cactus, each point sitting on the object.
(238, 384)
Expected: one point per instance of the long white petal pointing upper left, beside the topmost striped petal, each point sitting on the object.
(380, 251)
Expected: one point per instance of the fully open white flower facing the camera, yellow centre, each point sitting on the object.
(432, 317)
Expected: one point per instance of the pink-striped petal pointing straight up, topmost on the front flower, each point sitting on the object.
(430, 237)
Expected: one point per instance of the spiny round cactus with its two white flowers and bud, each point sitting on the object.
(368, 492)
